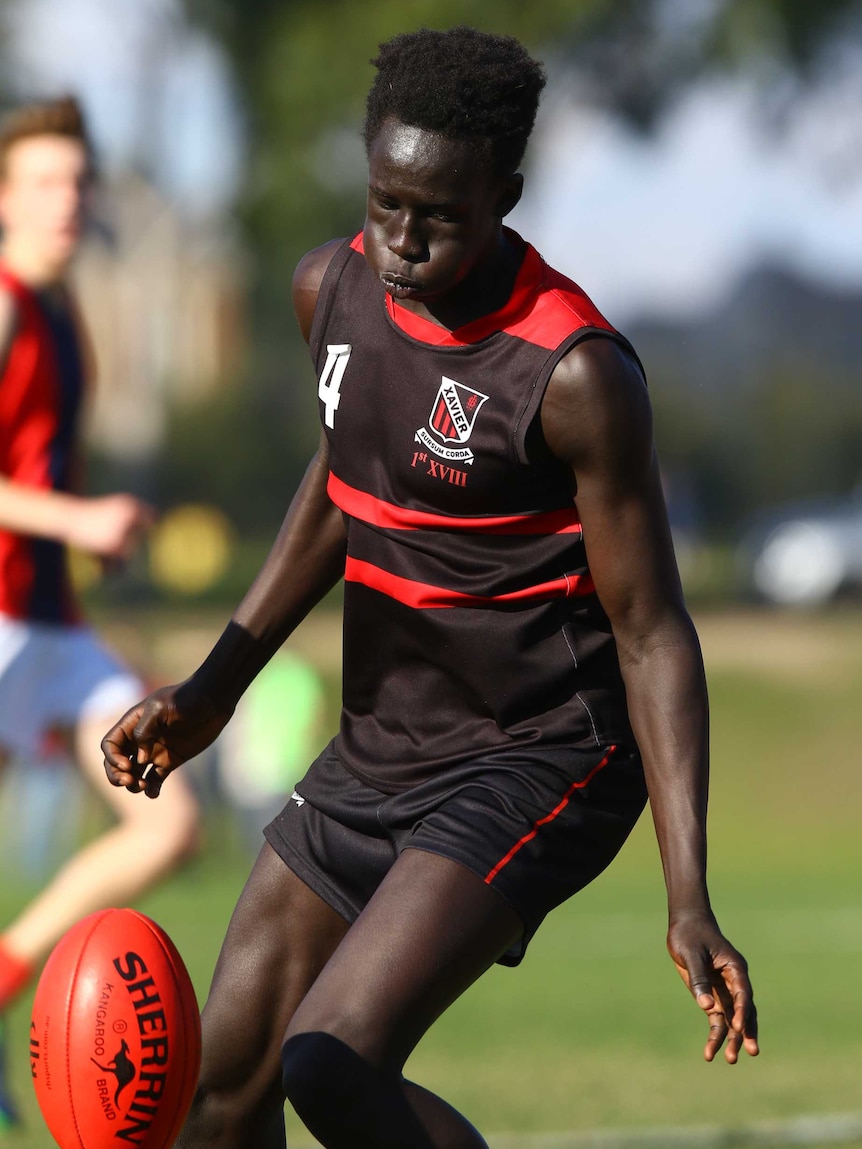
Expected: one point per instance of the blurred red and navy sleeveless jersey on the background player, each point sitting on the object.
(41, 392)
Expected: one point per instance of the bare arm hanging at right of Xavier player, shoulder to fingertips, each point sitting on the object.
(597, 418)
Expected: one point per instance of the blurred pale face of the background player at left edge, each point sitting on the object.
(43, 197)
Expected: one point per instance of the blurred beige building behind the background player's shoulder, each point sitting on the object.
(164, 298)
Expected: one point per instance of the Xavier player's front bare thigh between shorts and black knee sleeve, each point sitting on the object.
(428, 934)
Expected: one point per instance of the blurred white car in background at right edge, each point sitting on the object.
(805, 556)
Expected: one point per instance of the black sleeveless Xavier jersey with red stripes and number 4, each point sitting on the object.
(472, 623)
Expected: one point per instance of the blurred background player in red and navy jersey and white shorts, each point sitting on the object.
(56, 677)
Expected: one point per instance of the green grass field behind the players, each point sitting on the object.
(595, 1031)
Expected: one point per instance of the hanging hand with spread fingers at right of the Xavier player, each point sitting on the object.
(718, 977)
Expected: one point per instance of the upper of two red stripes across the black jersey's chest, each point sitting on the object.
(389, 516)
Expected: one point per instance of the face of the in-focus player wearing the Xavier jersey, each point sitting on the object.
(435, 212)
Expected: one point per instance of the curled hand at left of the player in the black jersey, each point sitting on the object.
(171, 727)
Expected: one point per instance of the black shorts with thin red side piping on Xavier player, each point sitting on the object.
(537, 826)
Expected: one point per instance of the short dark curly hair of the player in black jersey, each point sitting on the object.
(463, 83)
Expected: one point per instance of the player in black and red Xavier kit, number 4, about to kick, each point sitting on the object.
(515, 645)
